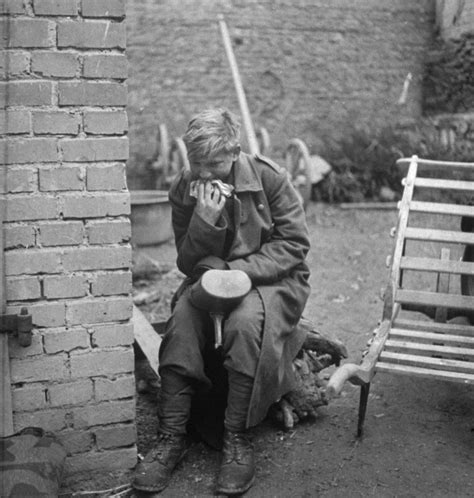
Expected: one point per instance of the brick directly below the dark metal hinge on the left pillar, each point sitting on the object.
(41, 368)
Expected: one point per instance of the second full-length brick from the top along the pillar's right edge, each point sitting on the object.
(92, 93)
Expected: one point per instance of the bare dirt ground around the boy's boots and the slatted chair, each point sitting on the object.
(419, 434)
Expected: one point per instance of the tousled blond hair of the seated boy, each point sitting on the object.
(211, 132)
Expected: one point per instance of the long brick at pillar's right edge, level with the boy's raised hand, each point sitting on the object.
(96, 206)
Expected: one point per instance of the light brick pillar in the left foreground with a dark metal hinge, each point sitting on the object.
(67, 231)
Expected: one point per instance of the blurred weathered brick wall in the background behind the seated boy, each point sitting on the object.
(311, 68)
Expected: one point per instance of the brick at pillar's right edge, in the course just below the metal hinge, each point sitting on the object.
(99, 363)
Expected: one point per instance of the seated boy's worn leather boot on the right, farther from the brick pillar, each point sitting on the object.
(237, 472)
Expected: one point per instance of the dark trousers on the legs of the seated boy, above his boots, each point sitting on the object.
(182, 369)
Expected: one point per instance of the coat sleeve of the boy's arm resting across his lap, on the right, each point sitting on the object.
(289, 244)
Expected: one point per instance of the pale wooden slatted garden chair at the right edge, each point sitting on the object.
(428, 307)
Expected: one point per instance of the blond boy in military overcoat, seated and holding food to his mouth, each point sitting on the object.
(240, 212)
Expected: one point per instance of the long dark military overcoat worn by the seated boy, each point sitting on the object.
(269, 242)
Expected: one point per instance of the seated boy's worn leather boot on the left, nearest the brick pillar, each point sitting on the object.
(154, 472)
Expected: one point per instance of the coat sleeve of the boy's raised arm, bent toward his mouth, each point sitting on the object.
(194, 237)
